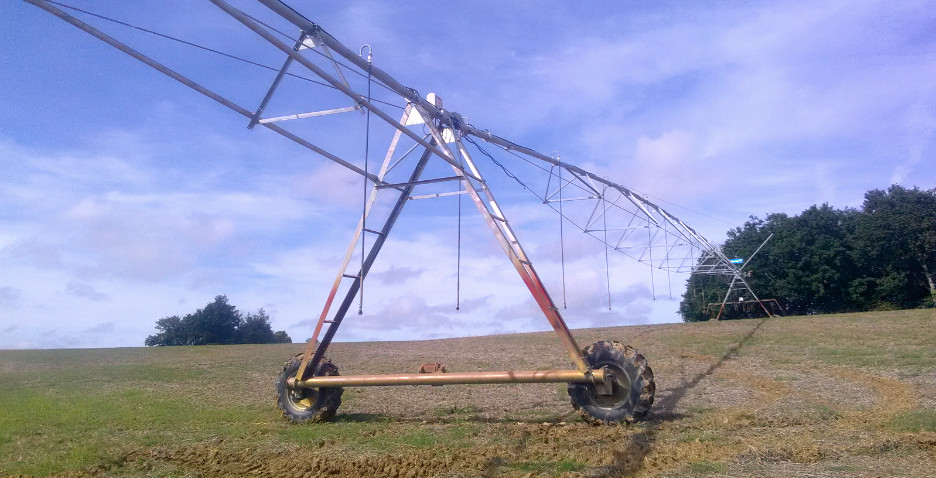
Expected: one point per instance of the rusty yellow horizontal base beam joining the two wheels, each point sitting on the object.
(538, 376)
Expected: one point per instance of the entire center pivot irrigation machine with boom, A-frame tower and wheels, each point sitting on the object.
(611, 382)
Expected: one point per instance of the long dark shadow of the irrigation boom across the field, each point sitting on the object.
(630, 458)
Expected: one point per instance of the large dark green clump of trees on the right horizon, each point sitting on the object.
(827, 260)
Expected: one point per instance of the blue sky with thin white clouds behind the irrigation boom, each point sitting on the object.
(125, 197)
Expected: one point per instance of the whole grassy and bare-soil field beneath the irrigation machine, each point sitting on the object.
(838, 395)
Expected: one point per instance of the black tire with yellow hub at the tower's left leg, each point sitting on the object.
(307, 404)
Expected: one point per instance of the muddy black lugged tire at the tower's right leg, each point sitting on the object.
(633, 386)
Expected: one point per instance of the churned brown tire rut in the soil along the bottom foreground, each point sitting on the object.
(526, 443)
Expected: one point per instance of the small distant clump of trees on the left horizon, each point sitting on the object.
(218, 323)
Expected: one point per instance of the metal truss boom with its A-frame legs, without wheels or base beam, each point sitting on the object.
(607, 211)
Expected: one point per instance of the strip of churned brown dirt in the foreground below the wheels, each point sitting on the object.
(524, 446)
